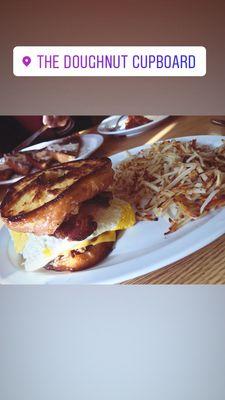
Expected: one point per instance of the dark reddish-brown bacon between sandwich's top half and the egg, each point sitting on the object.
(80, 226)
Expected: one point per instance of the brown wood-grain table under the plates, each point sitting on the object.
(206, 266)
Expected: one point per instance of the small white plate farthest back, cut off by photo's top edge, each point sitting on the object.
(110, 122)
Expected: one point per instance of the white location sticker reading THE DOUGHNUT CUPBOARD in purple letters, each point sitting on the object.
(114, 61)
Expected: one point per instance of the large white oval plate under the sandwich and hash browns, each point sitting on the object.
(141, 249)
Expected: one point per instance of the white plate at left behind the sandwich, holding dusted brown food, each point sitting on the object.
(89, 143)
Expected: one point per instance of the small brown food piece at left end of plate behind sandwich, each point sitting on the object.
(18, 162)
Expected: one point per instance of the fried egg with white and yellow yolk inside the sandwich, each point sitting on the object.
(37, 251)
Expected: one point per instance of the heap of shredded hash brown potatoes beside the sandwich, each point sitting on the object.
(178, 180)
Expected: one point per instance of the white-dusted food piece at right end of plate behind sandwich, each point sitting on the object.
(66, 149)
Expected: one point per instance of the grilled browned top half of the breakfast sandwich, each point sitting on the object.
(40, 202)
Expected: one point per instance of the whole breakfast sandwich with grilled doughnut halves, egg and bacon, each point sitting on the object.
(65, 218)
